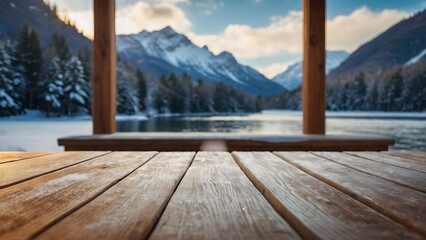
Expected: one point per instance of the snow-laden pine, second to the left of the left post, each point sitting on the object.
(52, 89)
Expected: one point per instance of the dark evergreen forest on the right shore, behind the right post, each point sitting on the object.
(400, 88)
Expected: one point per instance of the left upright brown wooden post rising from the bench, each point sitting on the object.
(104, 64)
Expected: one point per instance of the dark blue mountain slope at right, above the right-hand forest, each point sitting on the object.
(395, 46)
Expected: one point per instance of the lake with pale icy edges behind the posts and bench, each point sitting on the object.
(409, 130)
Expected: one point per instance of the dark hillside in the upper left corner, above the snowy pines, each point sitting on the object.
(14, 14)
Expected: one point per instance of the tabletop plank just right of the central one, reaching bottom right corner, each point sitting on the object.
(315, 209)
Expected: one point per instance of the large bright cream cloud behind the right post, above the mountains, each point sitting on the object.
(284, 33)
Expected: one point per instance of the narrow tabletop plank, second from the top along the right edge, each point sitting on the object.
(393, 160)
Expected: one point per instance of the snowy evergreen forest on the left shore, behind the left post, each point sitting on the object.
(58, 82)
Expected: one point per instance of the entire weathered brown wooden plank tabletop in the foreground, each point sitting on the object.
(213, 195)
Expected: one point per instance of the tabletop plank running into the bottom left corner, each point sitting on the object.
(33, 206)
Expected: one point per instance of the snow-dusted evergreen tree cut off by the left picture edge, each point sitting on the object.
(8, 105)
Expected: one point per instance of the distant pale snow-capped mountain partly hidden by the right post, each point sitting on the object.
(292, 77)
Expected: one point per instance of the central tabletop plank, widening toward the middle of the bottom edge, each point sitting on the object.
(215, 200)
